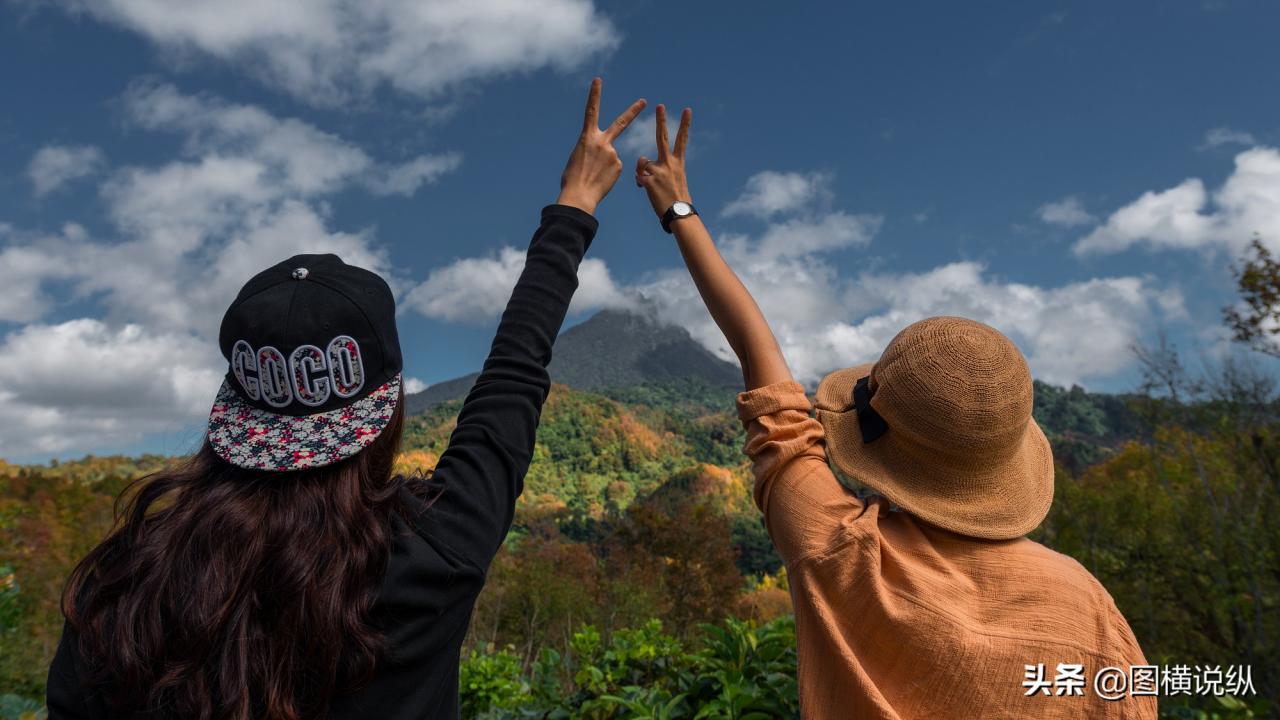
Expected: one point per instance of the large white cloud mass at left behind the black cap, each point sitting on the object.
(248, 190)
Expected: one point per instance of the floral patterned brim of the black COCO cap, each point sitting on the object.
(249, 438)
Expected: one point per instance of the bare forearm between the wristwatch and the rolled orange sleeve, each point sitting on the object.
(732, 307)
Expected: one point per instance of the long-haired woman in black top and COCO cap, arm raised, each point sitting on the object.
(282, 572)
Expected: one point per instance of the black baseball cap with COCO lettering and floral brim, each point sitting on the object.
(314, 366)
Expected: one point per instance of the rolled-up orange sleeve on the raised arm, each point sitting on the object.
(804, 505)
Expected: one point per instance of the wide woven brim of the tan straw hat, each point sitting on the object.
(1003, 500)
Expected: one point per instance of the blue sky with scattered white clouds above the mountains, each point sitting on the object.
(1078, 175)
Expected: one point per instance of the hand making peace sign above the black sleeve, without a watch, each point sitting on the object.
(595, 166)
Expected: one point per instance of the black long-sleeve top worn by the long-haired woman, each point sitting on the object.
(441, 554)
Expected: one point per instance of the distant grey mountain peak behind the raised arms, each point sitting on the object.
(612, 349)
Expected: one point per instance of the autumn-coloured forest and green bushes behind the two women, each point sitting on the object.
(639, 582)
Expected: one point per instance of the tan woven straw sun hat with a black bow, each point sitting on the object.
(943, 427)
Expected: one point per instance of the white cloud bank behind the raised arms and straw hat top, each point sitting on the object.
(825, 320)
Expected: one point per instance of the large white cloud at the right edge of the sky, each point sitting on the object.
(1190, 217)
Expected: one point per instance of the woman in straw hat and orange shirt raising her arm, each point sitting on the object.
(924, 599)
